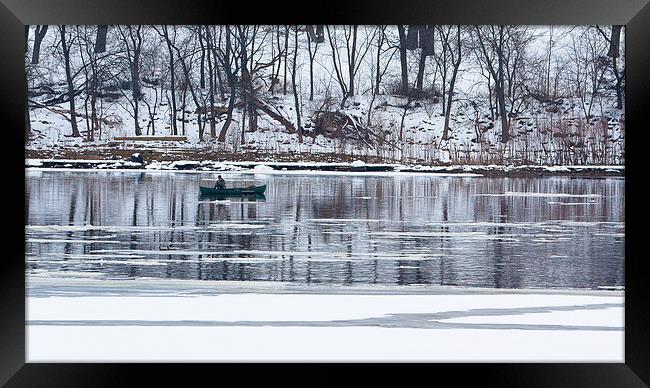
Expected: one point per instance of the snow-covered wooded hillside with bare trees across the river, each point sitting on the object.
(562, 99)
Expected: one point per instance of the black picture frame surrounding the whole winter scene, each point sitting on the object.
(15, 14)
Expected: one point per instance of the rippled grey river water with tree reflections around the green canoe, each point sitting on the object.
(542, 232)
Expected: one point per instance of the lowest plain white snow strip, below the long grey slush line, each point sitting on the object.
(308, 344)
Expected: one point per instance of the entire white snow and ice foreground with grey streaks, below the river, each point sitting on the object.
(93, 320)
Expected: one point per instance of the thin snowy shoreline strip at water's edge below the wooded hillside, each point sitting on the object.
(355, 167)
